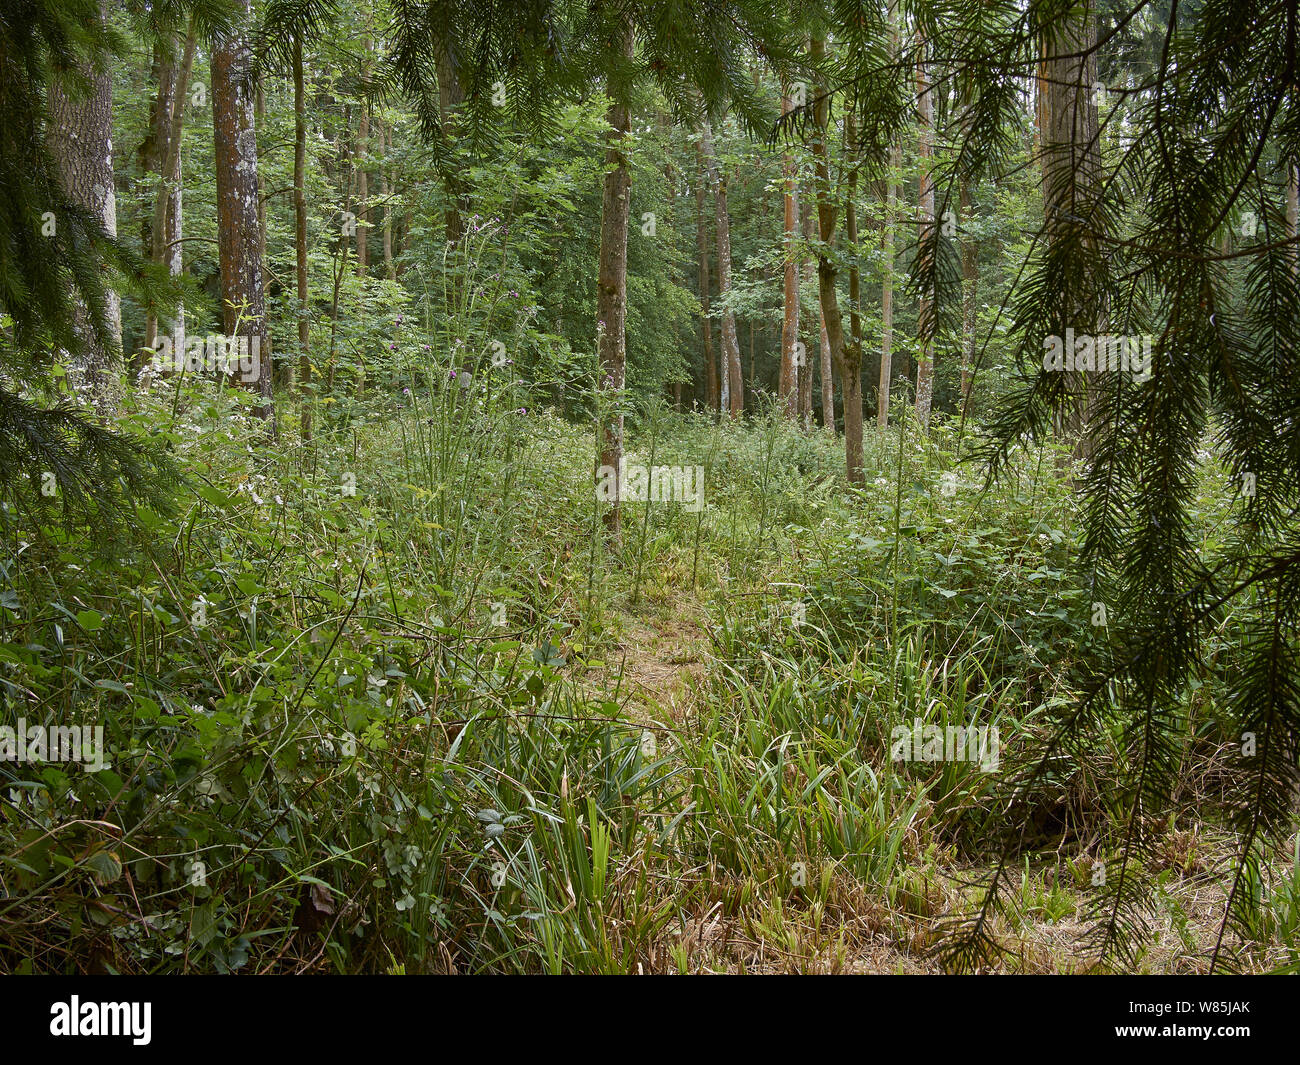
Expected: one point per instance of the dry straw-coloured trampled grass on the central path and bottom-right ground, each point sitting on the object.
(666, 652)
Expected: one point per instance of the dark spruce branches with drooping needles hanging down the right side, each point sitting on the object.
(1202, 123)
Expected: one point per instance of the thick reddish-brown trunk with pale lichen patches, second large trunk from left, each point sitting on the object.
(244, 301)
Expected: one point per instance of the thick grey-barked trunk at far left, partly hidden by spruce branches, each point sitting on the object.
(81, 142)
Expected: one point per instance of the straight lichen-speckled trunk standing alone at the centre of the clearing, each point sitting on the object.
(613, 284)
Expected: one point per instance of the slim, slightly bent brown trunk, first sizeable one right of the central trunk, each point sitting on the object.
(848, 360)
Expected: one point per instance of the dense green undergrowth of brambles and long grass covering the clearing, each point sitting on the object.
(393, 703)
